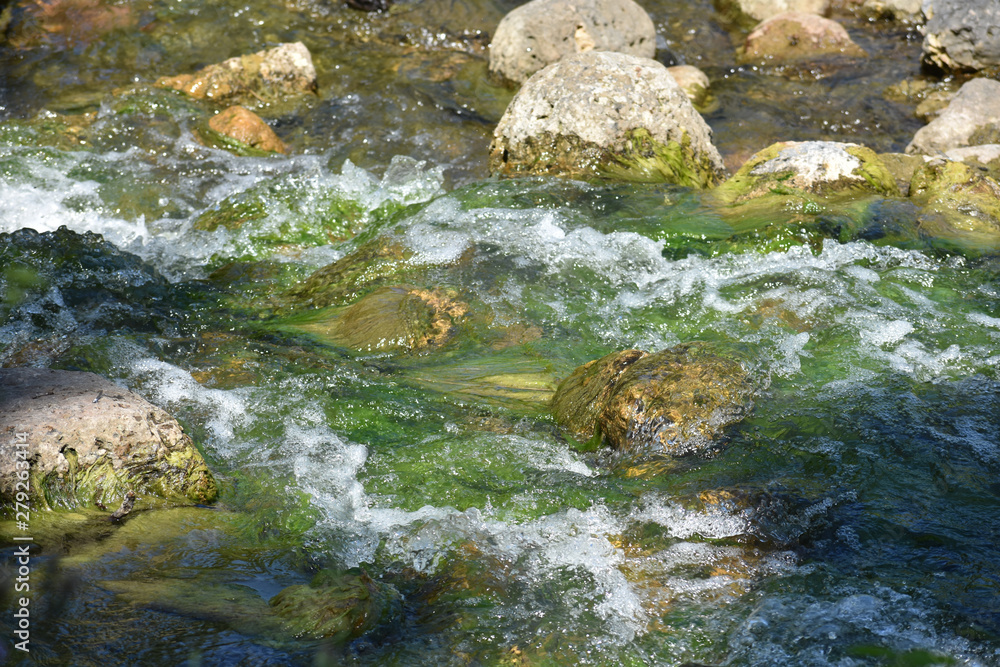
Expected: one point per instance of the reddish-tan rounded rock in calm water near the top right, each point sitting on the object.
(796, 37)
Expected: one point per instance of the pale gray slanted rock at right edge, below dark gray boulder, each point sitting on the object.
(972, 117)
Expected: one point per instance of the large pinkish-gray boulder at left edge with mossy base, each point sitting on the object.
(89, 442)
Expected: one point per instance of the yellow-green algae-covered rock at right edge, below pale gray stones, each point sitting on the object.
(961, 206)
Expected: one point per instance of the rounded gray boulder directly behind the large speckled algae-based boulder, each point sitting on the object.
(541, 32)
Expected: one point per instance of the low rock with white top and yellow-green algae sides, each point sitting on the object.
(820, 168)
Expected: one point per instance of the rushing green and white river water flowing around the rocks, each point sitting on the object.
(852, 519)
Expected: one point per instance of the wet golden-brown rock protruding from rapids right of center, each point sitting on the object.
(675, 401)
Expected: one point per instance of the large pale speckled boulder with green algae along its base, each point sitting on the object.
(606, 115)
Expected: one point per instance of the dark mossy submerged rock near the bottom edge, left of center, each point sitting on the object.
(337, 607)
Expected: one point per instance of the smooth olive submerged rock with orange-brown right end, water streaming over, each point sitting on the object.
(390, 319)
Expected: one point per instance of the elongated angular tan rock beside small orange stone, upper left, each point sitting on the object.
(285, 70)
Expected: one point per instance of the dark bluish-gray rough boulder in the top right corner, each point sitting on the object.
(962, 35)
